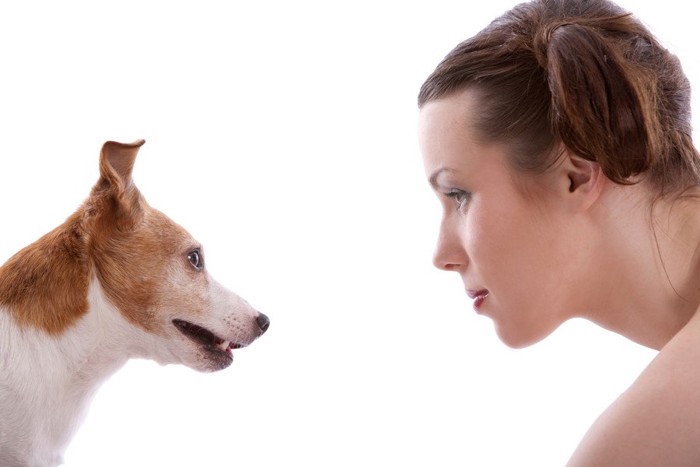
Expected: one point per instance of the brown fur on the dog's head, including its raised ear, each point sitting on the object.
(132, 245)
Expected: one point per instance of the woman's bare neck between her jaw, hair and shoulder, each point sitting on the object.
(647, 272)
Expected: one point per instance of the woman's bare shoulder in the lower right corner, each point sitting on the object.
(656, 422)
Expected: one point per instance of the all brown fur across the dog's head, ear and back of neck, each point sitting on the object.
(115, 234)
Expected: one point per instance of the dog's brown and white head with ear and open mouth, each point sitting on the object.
(154, 272)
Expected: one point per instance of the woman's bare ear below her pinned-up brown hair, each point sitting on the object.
(582, 179)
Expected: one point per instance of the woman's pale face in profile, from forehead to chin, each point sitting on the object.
(510, 248)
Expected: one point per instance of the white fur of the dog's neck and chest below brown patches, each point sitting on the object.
(47, 381)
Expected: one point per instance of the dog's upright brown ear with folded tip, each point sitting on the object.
(116, 186)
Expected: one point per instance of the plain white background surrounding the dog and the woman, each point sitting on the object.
(282, 135)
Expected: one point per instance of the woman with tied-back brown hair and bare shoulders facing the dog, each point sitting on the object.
(558, 140)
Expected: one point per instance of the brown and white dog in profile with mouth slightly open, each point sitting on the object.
(117, 280)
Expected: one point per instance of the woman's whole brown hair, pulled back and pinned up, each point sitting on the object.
(582, 72)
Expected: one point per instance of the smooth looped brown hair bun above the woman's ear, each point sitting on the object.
(601, 105)
